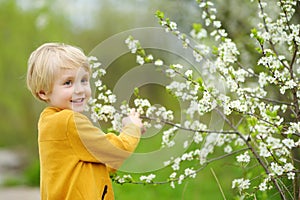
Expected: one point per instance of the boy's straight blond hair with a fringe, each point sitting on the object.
(47, 60)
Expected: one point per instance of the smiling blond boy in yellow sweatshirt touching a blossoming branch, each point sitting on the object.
(75, 156)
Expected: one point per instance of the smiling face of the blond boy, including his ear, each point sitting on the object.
(71, 90)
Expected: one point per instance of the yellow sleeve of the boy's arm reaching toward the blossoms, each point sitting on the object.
(92, 145)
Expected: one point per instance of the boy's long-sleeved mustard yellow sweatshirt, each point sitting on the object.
(75, 156)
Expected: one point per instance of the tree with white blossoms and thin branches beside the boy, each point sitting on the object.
(258, 105)
